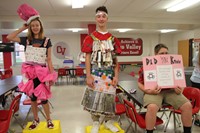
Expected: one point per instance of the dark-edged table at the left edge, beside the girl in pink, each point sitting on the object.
(8, 85)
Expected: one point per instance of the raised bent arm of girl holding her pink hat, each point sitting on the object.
(13, 36)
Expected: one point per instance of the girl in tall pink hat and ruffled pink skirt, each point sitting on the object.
(37, 70)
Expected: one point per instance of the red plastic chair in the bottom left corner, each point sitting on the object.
(6, 115)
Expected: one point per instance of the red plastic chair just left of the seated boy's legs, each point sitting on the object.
(137, 118)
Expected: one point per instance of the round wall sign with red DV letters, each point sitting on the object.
(60, 50)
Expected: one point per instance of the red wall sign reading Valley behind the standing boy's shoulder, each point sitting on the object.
(131, 46)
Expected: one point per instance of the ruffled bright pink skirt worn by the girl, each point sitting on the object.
(29, 73)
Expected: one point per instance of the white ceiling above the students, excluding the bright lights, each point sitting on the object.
(145, 16)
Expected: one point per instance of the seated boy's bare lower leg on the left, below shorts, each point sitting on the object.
(151, 115)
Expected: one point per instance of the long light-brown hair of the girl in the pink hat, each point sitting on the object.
(30, 33)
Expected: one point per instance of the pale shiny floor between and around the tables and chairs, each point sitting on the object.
(67, 108)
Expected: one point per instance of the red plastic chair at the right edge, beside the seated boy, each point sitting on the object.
(192, 94)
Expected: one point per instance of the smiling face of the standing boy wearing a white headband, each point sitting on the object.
(101, 19)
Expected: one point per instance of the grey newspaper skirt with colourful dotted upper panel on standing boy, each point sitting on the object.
(100, 100)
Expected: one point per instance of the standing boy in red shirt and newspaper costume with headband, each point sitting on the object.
(101, 49)
